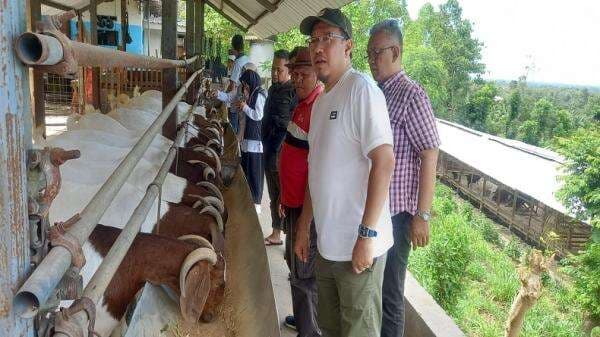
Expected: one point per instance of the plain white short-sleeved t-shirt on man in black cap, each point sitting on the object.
(346, 124)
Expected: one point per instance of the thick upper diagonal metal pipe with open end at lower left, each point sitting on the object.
(49, 272)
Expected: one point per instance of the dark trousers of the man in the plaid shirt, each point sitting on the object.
(394, 276)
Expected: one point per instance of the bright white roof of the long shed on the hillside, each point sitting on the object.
(531, 170)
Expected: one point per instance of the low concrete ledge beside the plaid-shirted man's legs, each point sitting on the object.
(423, 316)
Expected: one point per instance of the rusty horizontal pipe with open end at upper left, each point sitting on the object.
(40, 49)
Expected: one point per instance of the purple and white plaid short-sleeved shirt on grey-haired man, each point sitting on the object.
(414, 130)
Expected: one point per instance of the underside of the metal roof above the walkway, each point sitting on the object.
(252, 15)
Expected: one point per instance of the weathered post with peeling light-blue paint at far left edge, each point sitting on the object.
(15, 139)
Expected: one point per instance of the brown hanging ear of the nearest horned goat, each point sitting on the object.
(193, 297)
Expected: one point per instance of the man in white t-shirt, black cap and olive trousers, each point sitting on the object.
(351, 161)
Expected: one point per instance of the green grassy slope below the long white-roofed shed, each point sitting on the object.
(473, 276)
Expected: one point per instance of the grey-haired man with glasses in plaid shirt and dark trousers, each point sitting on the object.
(416, 143)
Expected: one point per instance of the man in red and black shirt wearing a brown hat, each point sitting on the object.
(293, 177)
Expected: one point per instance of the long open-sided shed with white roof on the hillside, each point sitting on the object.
(514, 182)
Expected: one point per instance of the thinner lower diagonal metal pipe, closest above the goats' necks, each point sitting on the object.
(100, 280)
